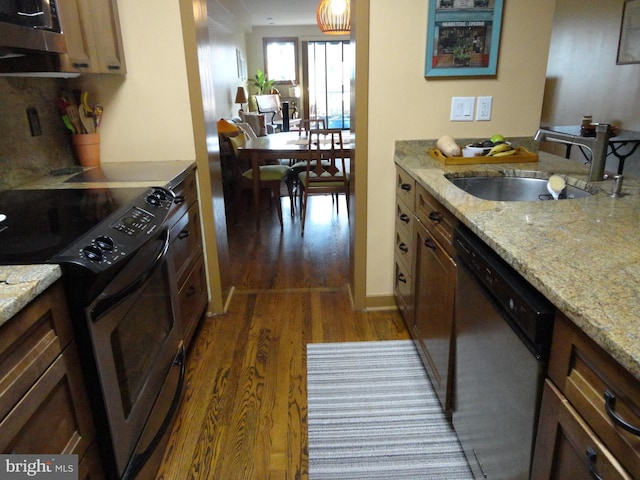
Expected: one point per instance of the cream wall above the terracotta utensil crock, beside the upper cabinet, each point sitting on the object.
(146, 113)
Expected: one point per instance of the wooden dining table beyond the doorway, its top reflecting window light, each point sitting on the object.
(292, 145)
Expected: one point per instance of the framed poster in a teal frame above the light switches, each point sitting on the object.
(463, 37)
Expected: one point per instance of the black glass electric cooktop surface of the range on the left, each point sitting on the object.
(35, 225)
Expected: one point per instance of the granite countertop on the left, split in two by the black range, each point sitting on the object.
(20, 284)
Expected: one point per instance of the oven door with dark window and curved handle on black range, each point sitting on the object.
(136, 337)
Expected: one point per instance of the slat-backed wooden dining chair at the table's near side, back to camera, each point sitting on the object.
(325, 171)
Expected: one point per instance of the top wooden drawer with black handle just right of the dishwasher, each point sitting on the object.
(587, 376)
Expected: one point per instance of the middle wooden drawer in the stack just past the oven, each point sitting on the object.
(186, 243)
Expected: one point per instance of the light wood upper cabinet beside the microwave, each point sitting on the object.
(93, 36)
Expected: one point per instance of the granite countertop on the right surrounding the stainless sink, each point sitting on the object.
(582, 254)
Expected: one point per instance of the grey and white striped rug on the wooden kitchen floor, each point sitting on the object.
(374, 415)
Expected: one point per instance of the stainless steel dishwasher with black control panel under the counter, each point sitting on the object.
(503, 333)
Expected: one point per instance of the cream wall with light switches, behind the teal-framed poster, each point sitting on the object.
(405, 105)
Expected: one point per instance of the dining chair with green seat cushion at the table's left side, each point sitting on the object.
(271, 176)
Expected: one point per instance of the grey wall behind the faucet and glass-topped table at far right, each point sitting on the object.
(582, 75)
